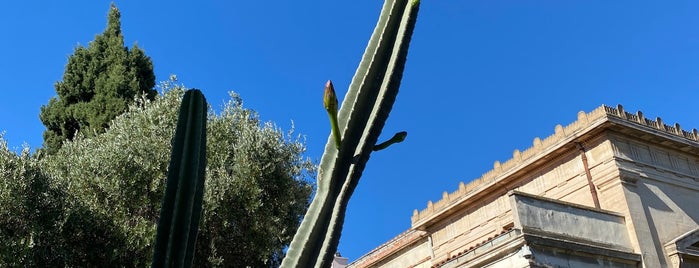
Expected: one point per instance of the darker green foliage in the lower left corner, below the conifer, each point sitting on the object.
(42, 226)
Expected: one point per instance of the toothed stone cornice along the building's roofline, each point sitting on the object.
(543, 150)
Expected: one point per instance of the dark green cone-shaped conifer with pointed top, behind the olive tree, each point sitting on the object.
(99, 83)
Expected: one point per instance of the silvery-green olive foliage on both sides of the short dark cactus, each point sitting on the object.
(108, 190)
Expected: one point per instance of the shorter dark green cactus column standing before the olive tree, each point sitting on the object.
(181, 208)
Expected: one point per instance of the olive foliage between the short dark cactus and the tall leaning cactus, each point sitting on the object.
(254, 194)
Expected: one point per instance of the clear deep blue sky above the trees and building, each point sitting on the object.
(483, 77)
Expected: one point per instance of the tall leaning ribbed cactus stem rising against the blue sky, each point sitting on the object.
(361, 118)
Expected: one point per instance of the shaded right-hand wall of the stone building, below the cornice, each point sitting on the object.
(662, 189)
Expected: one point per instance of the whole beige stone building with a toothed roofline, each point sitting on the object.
(612, 189)
